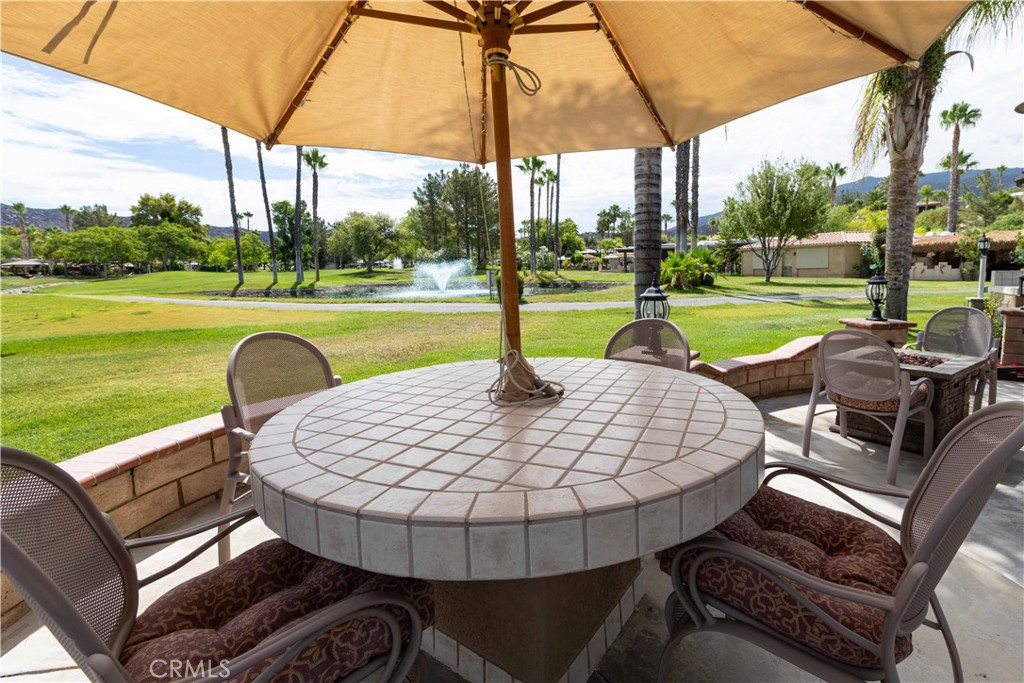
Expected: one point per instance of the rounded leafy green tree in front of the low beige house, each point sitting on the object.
(775, 205)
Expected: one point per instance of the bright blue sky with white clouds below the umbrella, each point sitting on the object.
(70, 141)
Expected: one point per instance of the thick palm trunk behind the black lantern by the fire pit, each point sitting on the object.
(907, 131)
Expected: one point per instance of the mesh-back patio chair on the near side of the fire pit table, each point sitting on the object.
(862, 374)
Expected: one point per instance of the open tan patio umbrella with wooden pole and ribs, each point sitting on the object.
(408, 77)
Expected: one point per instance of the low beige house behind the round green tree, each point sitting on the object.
(825, 255)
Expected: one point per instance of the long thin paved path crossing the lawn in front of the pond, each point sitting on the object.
(450, 308)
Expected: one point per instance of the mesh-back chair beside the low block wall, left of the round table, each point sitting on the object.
(267, 372)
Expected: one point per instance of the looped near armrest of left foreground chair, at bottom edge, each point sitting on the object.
(292, 641)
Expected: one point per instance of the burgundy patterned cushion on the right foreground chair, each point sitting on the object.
(828, 544)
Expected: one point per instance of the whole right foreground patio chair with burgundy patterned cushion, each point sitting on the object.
(830, 592)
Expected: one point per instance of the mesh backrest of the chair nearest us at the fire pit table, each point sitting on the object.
(859, 365)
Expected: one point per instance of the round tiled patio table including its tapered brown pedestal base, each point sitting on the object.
(533, 510)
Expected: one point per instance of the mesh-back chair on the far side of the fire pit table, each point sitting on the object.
(964, 331)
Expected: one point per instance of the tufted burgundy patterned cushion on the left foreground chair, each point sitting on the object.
(232, 609)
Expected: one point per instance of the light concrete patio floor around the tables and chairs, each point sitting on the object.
(983, 592)
